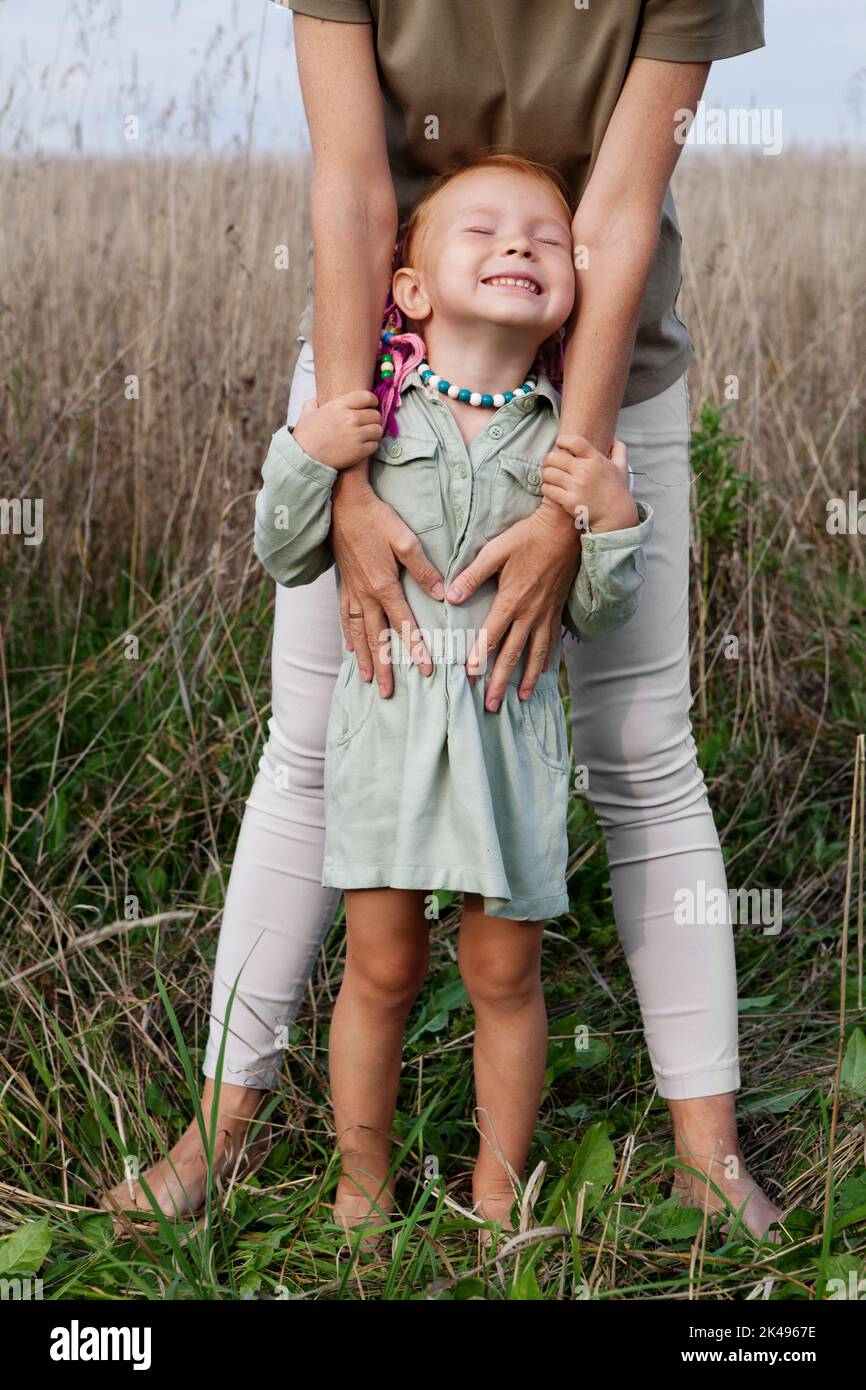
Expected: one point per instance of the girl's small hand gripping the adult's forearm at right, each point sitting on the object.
(591, 489)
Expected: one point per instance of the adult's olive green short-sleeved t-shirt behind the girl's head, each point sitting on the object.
(541, 79)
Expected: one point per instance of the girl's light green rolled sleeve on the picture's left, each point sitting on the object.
(294, 514)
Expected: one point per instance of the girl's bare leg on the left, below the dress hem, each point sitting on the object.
(387, 958)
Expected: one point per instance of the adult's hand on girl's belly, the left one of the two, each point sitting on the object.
(370, 544)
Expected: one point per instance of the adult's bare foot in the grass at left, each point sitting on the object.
(179, 1182)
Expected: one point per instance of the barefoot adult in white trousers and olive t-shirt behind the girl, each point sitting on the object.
(598, 94)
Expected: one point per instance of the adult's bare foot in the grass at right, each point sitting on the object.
(705, 1136)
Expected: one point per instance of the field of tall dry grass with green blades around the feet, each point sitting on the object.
(147, 351)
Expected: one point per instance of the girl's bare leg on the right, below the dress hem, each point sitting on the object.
(501, 967)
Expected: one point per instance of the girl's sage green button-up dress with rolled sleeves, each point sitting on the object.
(427, 789)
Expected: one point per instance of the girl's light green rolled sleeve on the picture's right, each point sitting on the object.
(608, 586)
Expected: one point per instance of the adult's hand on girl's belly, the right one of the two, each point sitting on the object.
(537, 561)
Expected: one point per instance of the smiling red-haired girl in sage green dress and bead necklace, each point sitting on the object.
(462, 799)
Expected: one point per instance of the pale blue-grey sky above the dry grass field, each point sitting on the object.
(193, 73)
